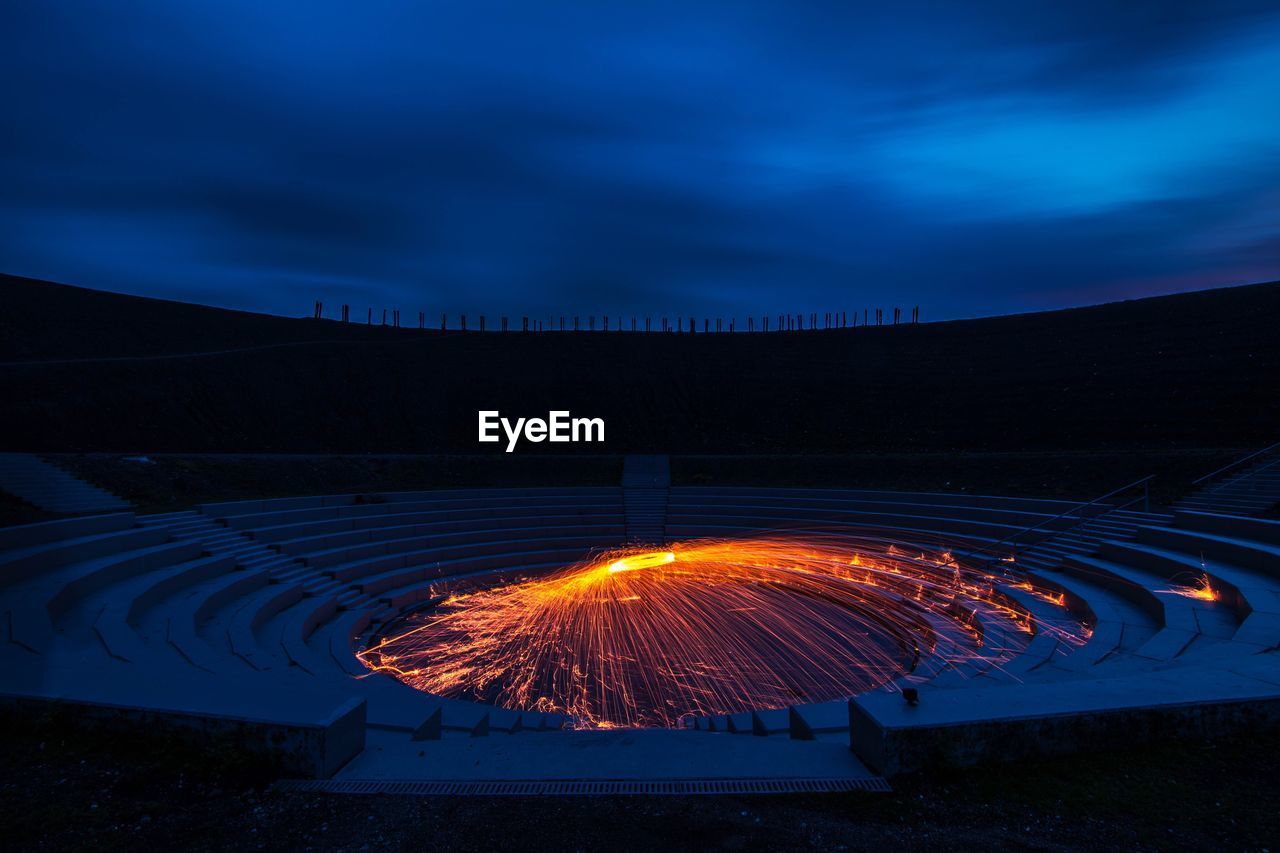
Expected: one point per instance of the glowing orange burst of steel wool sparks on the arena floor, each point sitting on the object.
(643, 638)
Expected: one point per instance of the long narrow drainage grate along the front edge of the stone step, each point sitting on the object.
(588, 788)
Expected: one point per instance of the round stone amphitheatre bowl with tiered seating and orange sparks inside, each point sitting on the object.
(499, 637)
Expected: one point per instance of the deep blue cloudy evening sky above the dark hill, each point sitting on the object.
(669, 158)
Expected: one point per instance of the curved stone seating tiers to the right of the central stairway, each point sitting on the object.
(1140, 619)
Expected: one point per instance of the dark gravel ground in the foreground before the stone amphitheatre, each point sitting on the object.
(67, 790)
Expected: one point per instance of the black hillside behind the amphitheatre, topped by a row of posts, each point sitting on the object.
(1194, 370)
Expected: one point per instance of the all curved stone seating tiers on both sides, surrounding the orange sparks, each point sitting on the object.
(276, 595)
